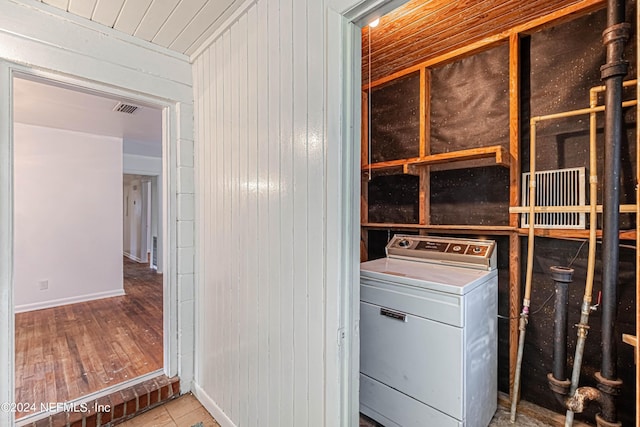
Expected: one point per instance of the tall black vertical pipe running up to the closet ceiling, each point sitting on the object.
(613, 72)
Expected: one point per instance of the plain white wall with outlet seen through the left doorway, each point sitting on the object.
(67, 217)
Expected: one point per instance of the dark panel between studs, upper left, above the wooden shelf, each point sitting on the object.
(395, 119)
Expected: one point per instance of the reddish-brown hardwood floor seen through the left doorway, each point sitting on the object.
(66, 352)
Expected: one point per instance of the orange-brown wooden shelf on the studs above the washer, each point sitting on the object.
(410, 165)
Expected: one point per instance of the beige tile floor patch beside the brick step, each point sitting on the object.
(184, 411)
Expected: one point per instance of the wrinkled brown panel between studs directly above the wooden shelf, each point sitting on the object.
(470, 102)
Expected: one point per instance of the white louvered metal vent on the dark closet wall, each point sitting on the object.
(560, 187)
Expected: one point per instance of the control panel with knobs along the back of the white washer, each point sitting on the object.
(473, 253)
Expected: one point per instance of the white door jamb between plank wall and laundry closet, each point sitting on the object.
(345, 19)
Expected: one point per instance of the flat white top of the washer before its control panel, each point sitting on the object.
(438, 277)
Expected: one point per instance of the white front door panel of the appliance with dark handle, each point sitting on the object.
(416, 356)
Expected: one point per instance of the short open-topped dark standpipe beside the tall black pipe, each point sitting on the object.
(562, 276)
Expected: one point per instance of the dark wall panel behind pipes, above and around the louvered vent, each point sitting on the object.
(559, 66)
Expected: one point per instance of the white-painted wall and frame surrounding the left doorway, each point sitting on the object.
(37, 38)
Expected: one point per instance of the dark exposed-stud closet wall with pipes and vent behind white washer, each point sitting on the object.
(573, 95)
